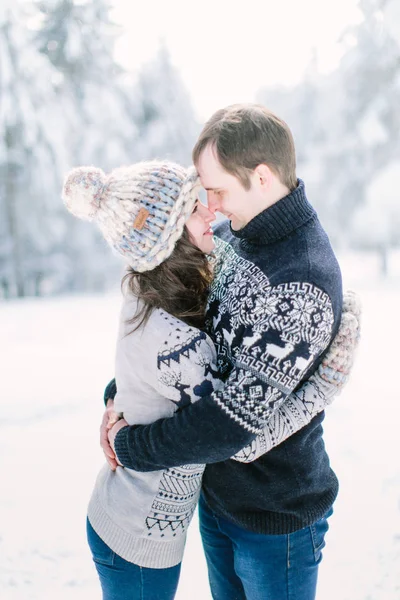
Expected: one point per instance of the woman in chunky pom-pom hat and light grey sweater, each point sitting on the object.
(150, 214)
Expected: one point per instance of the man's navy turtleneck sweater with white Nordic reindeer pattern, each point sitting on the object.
(274, 307)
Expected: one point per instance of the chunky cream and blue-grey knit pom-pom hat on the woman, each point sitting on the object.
(141, 209)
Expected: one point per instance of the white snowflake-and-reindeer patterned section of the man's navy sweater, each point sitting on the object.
(270, 335)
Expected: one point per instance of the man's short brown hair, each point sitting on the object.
(247, 135)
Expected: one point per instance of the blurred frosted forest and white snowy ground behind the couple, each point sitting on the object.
(65, 100)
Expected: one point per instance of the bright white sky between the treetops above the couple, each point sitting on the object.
(226, 50)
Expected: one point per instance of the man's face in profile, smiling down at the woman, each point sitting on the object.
(225, 193)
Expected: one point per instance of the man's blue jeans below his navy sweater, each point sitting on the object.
(249, 566)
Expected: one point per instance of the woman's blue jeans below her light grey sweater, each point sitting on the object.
(122, 580)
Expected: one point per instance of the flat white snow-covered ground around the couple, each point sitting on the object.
(56, 356)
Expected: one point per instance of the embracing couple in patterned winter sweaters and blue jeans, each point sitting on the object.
(231, 344)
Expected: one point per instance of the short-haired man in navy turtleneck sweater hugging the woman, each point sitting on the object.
(274, 307)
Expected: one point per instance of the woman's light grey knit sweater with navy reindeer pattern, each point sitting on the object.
(144, 517)
